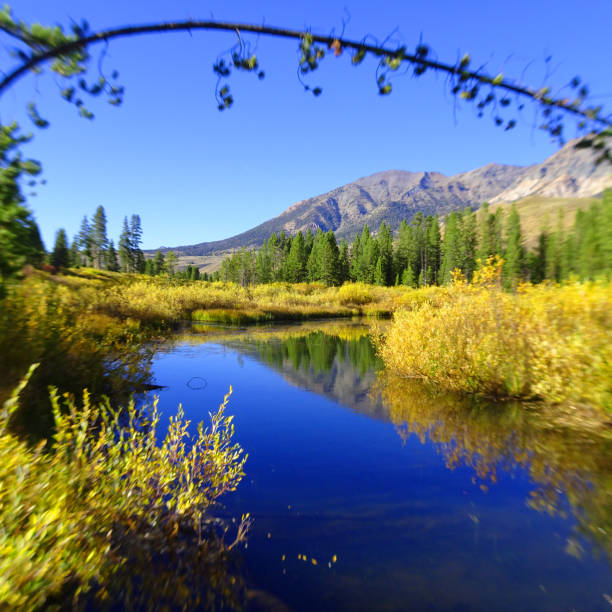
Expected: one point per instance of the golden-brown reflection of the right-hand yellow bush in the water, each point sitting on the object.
(562, 460)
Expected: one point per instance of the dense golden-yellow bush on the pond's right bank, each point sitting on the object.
(547, 342)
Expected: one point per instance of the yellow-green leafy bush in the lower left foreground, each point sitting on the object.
(112, 513)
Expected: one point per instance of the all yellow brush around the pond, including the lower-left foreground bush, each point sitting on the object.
(548, 345)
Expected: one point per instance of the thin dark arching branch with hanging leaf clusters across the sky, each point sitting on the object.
(468, 84)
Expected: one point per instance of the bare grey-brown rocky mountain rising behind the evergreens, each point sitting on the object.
(394, 195)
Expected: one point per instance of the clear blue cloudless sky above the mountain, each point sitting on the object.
(194, 174)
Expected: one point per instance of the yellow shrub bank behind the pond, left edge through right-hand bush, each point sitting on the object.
(549, 342)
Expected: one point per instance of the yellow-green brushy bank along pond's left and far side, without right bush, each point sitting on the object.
(92, 329)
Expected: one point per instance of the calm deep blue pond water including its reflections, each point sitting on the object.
(425, 501)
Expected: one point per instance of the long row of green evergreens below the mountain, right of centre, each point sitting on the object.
(426, 251)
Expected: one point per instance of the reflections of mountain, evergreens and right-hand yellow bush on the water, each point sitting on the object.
(566, 461)
